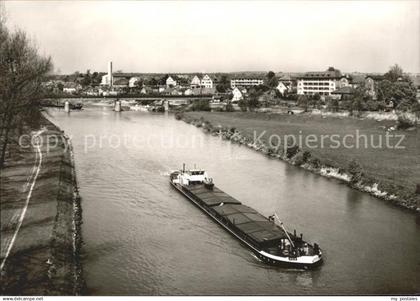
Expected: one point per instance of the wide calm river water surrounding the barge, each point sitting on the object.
(143, 238)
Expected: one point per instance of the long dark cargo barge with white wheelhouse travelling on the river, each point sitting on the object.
(266, 237)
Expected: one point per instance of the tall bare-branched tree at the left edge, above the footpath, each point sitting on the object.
(22, 70)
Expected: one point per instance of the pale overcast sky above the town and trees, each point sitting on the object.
(160, 36)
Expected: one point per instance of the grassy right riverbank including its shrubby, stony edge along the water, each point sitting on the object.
(389, 173)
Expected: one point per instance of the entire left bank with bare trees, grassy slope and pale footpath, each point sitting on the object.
(40, 204)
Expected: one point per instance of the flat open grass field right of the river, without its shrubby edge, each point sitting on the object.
(396, 170)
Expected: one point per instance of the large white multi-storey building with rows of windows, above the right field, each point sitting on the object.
(322, 83)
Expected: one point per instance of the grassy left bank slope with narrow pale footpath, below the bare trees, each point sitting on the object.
(44, 254)
